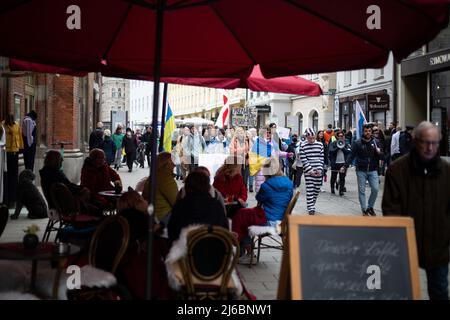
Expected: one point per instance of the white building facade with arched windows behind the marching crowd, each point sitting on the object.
(313, 112)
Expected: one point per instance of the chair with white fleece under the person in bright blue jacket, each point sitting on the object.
(277, 237)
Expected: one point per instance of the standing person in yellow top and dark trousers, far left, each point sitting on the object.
(14, 143)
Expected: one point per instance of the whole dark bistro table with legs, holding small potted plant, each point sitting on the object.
(43, 251)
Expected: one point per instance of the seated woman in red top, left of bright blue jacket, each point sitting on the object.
(229, 182)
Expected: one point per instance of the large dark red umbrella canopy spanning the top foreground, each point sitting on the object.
(217, 38)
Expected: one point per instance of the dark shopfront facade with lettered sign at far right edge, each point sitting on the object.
(424, 87)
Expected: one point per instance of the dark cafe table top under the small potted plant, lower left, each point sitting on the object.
(43, 251)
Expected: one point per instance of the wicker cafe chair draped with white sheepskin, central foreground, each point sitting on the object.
(205, 268)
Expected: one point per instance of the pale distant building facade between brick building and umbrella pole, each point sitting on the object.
(115, 101)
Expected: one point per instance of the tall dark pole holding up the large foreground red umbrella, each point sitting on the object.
(156, 78)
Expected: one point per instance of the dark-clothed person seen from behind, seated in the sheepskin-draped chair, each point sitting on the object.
(196, 207)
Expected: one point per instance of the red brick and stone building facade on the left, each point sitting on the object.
(67, 108)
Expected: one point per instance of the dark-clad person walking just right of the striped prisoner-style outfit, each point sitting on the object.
(339, 157)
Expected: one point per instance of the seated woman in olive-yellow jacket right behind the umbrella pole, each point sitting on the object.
(166, 188)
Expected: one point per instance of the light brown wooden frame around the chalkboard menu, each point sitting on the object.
(349, 221)
